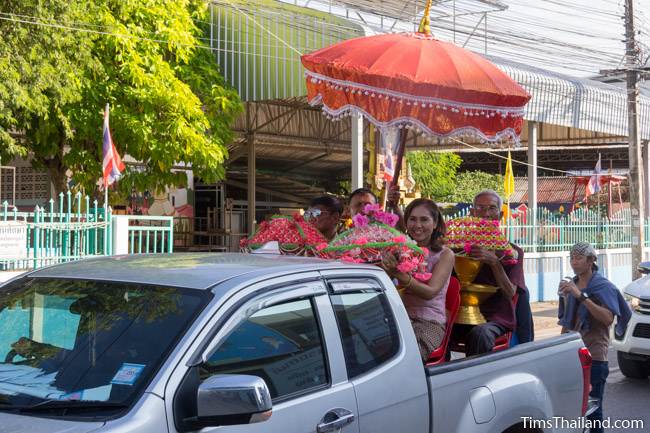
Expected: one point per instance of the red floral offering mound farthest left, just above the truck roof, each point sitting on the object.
(293, 234)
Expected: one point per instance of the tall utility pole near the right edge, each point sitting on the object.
(635, 156)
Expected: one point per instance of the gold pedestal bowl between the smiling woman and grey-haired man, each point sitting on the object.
(471, 294)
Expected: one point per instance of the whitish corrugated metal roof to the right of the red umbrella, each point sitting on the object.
(574, 102)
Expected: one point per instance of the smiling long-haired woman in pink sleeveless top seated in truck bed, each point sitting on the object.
(425, 300)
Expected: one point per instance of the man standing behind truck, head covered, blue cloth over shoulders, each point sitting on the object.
(588, 304)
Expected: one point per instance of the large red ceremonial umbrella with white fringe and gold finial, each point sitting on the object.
(414, 80)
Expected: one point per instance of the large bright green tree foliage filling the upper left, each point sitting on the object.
(169, 104)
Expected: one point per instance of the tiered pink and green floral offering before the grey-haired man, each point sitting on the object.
(463, 233)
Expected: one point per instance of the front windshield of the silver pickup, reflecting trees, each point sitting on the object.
(92, 343)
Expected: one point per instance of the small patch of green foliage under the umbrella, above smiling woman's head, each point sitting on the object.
(435, 173)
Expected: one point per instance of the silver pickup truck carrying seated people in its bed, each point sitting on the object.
(248, 343)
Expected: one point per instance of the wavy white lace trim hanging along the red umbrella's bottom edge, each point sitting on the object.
(506, 135)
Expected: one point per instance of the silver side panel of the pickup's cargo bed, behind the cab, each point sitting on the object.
(492, 392)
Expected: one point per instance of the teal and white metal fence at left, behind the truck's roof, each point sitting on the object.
(73, 228)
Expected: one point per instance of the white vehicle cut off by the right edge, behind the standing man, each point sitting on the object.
(633, 348)
